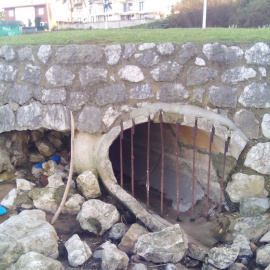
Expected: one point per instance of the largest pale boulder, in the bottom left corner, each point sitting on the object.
(33, 230)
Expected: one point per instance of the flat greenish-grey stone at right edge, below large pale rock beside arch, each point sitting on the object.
(254, 206)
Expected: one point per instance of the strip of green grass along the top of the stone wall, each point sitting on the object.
(175, 35)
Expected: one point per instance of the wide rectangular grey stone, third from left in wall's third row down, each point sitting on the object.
(50, 96)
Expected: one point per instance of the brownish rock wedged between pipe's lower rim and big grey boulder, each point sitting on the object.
(129, 240)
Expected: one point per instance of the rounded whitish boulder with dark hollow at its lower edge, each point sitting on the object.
(97, 216)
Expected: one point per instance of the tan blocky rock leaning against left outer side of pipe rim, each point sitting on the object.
(88, 185)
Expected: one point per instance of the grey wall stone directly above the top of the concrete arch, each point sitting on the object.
(173, 92)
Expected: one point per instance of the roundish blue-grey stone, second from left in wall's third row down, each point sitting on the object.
(20, 93)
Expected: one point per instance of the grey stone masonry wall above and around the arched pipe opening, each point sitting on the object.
(102, 84)
